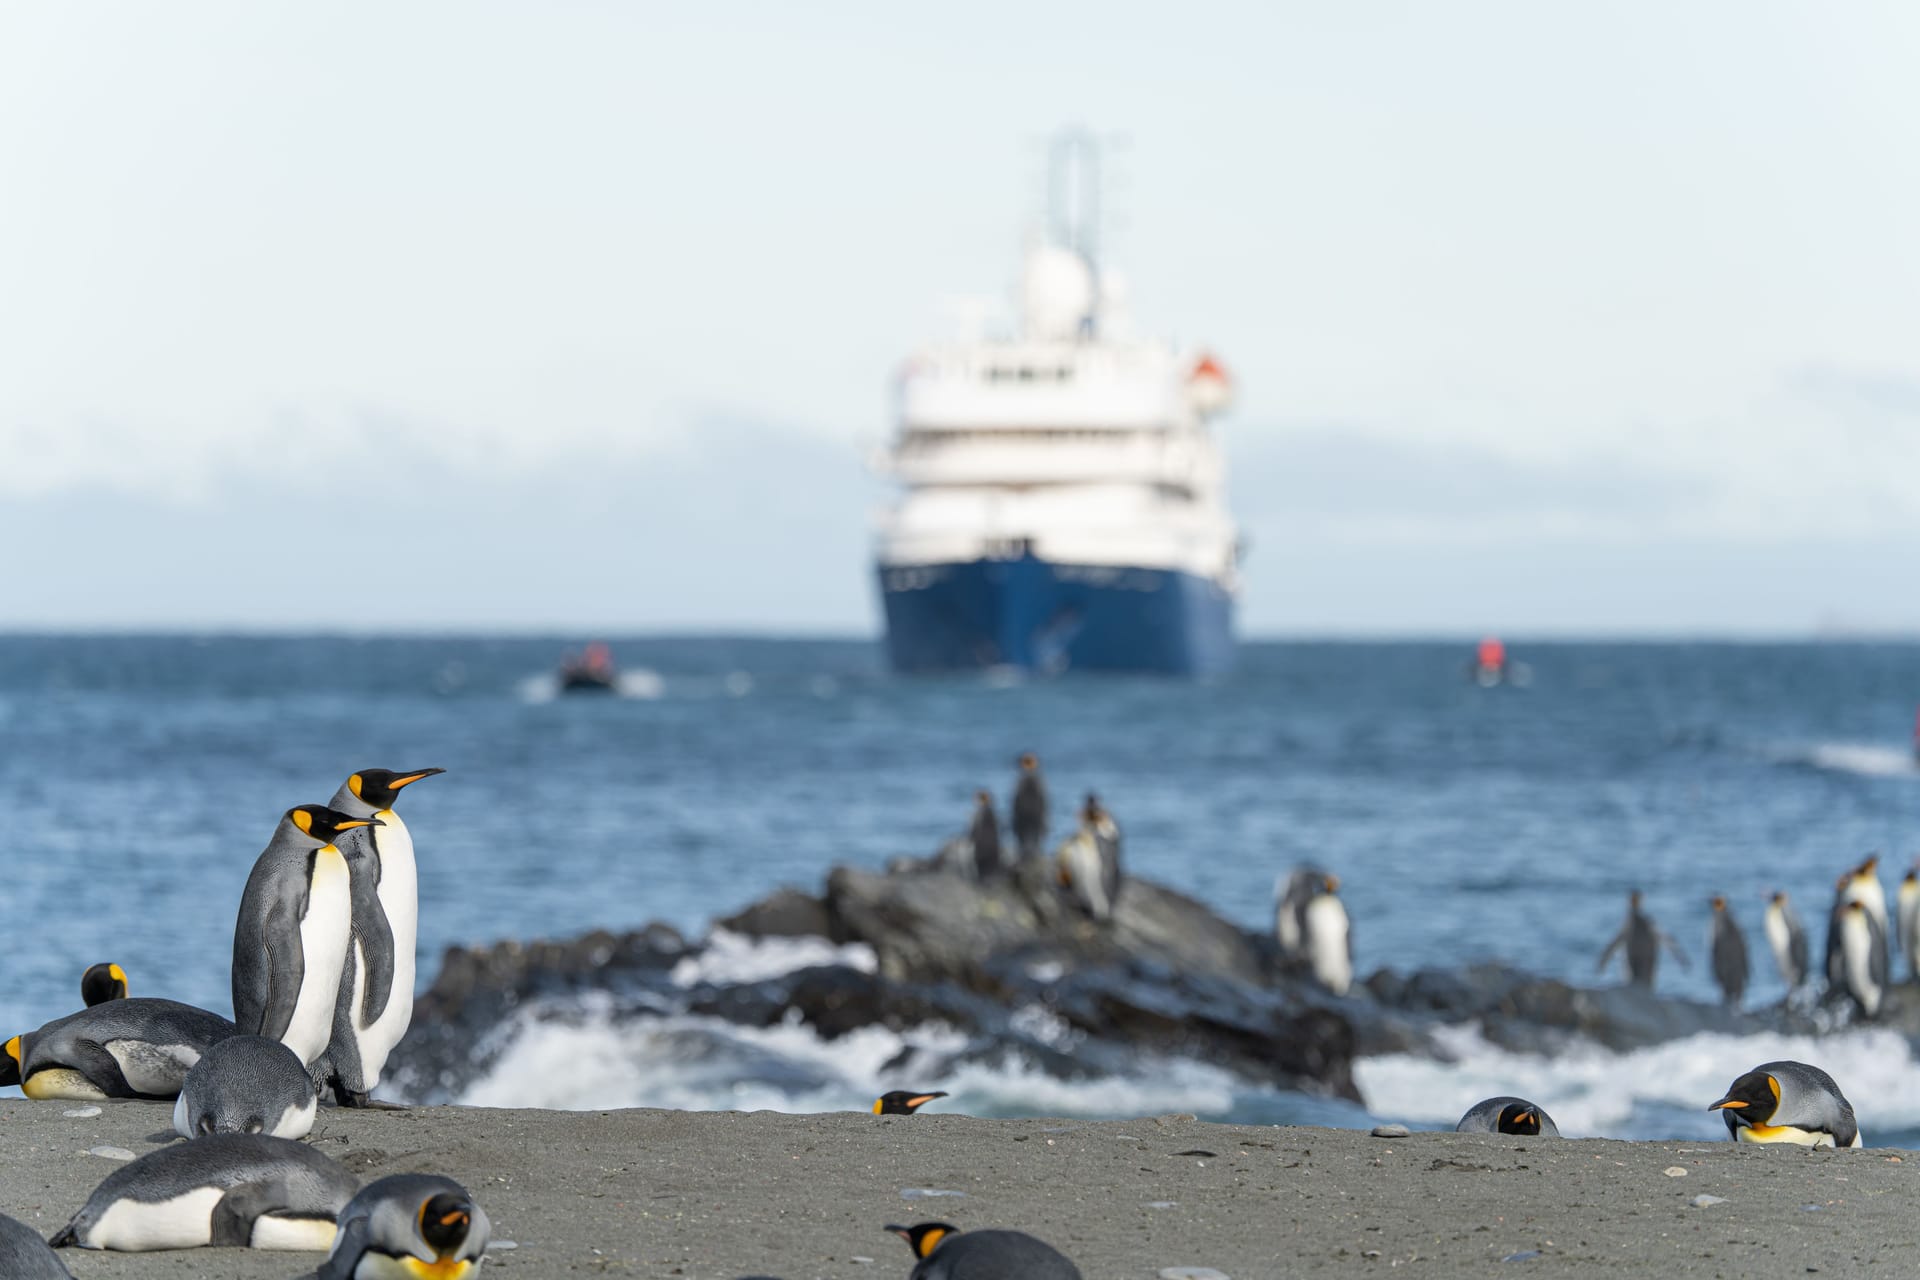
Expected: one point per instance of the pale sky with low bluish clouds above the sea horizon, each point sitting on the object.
(1547, 320)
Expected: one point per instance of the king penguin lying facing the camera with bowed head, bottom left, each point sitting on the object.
(410, 1225)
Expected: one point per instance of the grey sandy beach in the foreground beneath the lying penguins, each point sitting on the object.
(713, 1195)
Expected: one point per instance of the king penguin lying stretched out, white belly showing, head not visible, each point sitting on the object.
(226, 1191)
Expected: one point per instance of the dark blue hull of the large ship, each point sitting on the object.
(1055, 617)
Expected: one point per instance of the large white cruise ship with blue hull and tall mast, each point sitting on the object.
(1063, 500)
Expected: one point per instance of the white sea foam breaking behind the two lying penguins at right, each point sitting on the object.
(1652, 1093)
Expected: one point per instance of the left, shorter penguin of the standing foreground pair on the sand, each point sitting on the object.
(293, 932)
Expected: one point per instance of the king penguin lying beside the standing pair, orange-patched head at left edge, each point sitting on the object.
(118, 1049)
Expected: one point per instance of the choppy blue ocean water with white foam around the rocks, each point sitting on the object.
(141, 776)
